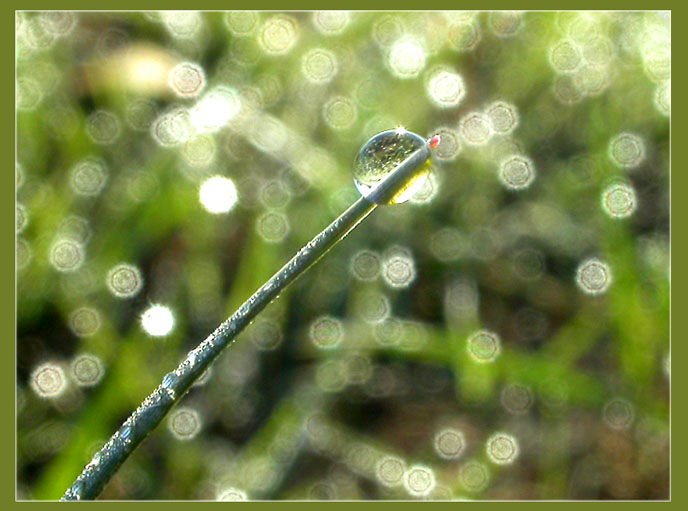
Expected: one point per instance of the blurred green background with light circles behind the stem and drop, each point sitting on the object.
(121, 119)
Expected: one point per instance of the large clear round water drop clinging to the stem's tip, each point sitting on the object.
(382, 155)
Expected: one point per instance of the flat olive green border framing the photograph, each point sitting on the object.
(678, 245)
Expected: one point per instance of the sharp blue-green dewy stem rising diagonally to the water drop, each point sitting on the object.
(174, 385)
